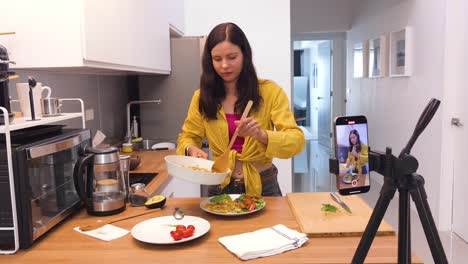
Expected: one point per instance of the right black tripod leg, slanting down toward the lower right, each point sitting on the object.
(432, 236)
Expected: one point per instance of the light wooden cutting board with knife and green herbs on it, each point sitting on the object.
(306, 207)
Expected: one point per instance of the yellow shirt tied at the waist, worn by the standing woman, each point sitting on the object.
(285, 138)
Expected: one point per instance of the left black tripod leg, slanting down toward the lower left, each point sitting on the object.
(386, 195)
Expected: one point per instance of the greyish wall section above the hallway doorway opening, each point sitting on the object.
(321, 15)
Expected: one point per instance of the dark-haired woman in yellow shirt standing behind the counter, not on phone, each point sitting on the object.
(227, 83)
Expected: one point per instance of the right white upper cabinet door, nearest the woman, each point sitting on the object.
(126, 32)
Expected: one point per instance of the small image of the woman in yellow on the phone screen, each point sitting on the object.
(357, 153)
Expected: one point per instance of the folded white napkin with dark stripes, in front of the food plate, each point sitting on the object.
(264, 242)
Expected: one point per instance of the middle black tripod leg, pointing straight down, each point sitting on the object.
(404, 232)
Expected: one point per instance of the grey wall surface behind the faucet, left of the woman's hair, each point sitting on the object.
(164, 122)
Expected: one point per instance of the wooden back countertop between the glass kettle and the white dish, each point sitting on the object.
(153, 162)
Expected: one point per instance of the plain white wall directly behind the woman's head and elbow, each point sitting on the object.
(267, 26)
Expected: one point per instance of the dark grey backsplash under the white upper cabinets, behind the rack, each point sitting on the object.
(107, 95)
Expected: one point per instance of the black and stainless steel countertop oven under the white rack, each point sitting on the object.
(45, 192)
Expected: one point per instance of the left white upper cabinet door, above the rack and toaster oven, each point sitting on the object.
(47, 33)
